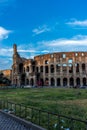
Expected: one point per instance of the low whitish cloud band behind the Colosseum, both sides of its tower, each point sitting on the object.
(75, 43)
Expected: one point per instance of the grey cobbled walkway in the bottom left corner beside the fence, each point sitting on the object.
(8, 123)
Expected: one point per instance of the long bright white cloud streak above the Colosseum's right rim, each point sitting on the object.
(79, 40)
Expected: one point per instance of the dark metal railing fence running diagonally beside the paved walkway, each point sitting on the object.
(48, 120)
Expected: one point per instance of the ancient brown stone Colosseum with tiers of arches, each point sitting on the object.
(64, 69)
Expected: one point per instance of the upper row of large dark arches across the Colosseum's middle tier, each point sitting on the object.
(52, 68)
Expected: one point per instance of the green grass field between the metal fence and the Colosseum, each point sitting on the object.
(66, 101)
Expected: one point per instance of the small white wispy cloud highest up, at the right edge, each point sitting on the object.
(77, 23)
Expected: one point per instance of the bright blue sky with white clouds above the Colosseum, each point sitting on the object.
(40, 27)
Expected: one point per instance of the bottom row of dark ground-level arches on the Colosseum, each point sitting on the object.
(52, 81)
